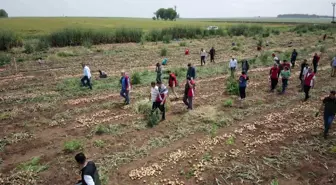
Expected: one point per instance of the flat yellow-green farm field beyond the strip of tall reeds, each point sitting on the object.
(40, 26)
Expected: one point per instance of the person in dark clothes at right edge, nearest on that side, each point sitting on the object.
(329, 107)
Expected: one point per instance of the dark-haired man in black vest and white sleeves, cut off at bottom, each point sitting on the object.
(89, 171)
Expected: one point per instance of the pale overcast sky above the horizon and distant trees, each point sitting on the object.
(145, 8)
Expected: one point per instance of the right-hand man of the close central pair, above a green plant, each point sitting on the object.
(161, 100)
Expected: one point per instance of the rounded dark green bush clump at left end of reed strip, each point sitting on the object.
(8, 40)
